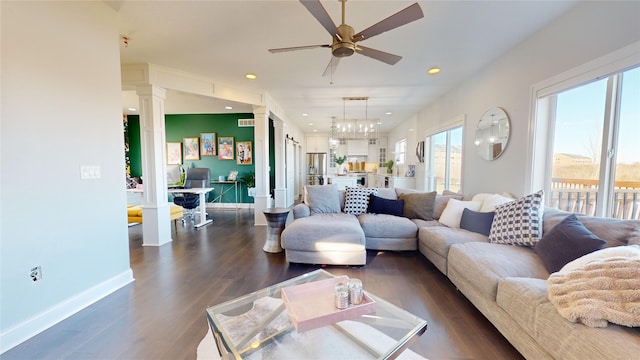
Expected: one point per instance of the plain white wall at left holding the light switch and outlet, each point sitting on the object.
(61, 109)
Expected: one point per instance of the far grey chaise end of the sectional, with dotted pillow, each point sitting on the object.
(334, 227)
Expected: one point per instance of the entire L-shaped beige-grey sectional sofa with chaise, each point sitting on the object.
(507, 283)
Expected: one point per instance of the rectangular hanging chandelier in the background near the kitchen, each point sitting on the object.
(355, 128)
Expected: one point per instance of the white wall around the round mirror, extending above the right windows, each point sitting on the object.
(590, 30)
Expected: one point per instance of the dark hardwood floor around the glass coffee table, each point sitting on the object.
(162, 314)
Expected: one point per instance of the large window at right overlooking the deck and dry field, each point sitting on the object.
(594, 146)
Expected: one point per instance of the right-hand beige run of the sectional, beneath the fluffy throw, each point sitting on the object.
(508, 284)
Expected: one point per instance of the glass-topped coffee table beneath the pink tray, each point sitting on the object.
(258, 326)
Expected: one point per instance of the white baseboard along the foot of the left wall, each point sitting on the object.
(40, 322)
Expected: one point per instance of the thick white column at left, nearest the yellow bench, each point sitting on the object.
(156, 225)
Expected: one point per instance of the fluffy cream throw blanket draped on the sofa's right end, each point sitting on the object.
(601, 291)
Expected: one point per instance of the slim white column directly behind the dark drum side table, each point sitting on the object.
(262, 199)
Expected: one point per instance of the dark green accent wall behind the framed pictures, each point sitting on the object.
(178, 127)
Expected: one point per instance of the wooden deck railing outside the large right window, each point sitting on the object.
(580, 196)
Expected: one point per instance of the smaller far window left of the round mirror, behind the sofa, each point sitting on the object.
(443, 160)
